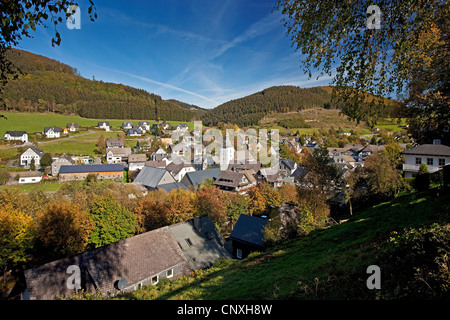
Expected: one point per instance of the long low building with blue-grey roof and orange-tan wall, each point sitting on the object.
(80, 172)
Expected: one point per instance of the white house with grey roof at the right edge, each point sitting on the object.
(434, 156)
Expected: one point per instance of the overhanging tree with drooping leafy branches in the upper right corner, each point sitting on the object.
(397, 47)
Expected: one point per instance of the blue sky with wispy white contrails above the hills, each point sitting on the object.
(203, 52)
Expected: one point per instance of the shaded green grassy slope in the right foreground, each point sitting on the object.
(304, 268)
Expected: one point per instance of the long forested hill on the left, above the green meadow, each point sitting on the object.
(49, 85)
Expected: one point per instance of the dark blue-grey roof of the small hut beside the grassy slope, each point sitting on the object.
(249, 229)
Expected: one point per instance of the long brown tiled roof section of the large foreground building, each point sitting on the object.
(135, 259)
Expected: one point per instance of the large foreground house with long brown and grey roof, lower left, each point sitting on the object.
(169, 252)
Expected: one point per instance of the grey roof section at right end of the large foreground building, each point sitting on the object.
(206, 243)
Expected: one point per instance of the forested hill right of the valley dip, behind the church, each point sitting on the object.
(251, 109)
